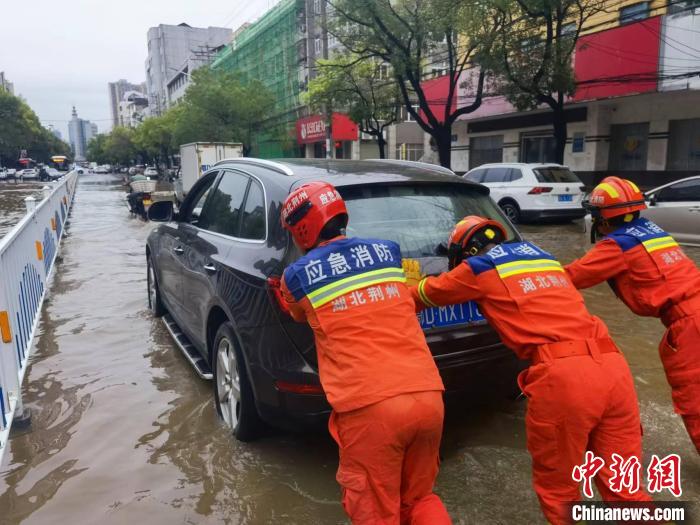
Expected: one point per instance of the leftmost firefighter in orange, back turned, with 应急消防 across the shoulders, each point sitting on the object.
(374, 363)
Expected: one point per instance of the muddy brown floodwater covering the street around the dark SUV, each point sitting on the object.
(124, 432)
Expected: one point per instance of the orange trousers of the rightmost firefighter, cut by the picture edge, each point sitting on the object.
(680, 355)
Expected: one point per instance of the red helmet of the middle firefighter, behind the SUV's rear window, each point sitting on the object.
(470, 235)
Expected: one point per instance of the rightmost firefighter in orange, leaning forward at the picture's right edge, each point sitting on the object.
(650, 273)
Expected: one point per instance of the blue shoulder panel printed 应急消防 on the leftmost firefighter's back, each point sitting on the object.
(340, 260)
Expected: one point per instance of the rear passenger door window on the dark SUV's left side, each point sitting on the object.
(222, 209)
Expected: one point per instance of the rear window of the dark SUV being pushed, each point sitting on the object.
(418, 217)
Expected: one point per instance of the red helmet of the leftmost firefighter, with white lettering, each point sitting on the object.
(308, 209)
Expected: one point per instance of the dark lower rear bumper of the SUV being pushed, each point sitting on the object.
(483, 374)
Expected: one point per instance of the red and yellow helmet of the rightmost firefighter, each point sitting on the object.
(614, 197)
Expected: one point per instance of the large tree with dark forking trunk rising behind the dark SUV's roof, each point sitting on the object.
(414, 37)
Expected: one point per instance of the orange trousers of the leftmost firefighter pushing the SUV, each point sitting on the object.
(389, 456)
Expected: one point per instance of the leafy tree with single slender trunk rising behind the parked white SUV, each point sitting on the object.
(532, 54)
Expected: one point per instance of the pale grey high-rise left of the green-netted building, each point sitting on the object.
(169, 49)
